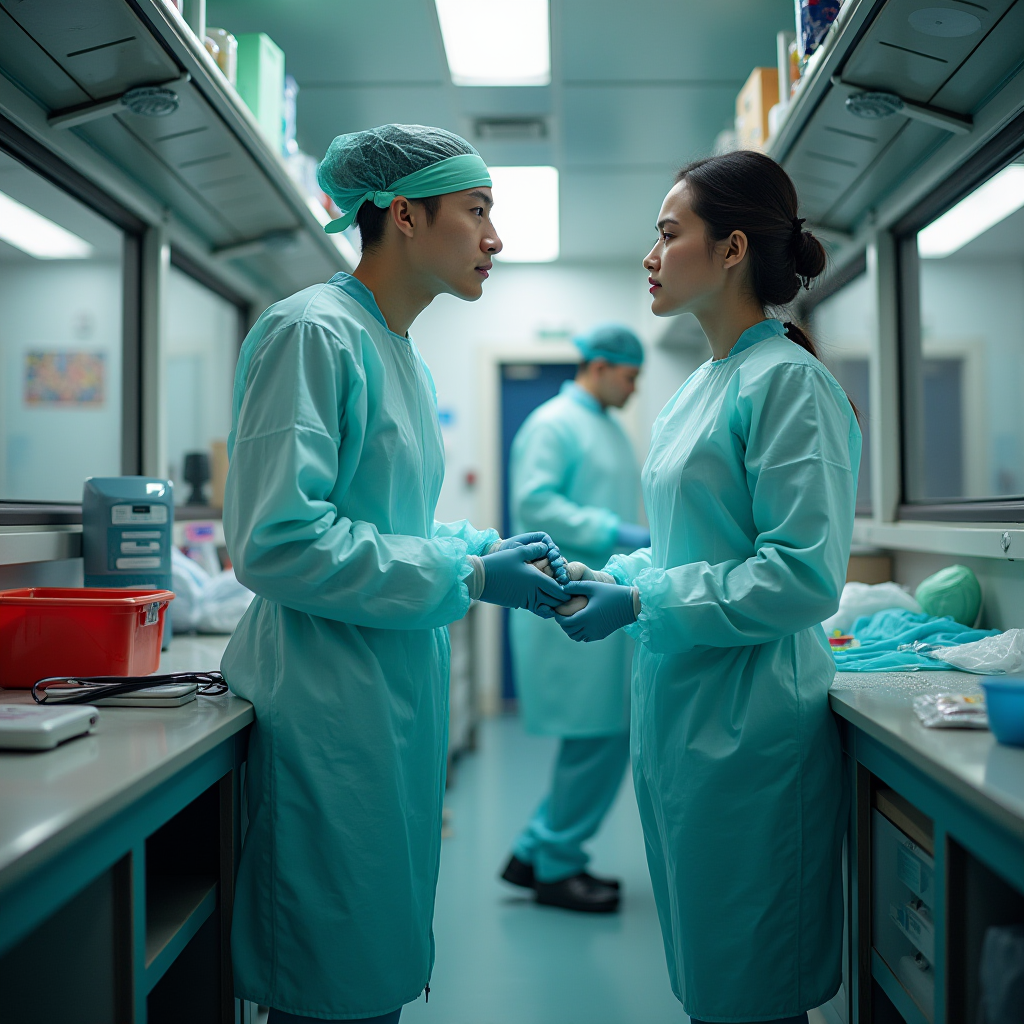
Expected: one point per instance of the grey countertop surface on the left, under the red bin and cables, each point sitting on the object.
(50, 799)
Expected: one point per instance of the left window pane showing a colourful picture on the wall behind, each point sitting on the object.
(61, 340)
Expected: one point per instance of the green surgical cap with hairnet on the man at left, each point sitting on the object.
(381, 163)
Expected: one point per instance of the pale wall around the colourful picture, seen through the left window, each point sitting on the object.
(48, 451)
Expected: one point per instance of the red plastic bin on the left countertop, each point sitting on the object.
(79, 631)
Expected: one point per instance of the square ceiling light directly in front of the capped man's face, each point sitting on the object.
(527, 214)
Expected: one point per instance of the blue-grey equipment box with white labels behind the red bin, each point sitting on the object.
(127, 532)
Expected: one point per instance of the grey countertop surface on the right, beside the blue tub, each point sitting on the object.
(985, 774)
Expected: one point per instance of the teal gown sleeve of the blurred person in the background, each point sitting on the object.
(542, 465)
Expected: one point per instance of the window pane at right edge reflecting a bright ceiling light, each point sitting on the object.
(964, 349)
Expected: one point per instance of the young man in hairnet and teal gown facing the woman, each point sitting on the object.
(336, 464)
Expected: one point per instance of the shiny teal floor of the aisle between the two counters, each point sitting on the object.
(501, 959)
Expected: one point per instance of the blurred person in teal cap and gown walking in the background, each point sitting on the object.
(574, 476)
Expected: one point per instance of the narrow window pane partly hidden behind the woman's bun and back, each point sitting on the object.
(846, 330)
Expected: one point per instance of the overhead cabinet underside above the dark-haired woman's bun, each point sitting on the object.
(944, 59)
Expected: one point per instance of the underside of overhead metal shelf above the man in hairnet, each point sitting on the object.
(206, 163)
